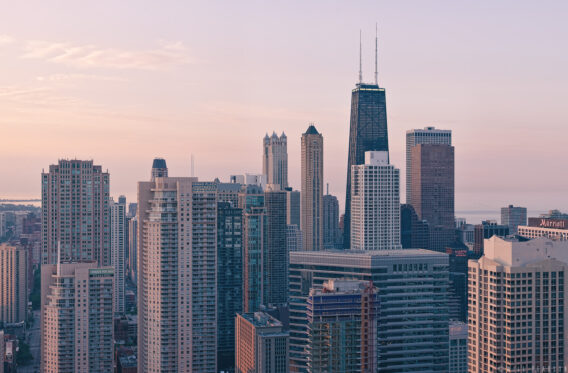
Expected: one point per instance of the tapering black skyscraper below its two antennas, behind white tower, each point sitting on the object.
(368, 132)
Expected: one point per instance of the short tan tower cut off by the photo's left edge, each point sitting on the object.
(13, 284)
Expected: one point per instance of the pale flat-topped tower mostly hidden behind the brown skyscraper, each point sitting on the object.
(428, 135)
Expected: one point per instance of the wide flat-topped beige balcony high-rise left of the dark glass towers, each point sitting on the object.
(177, 270)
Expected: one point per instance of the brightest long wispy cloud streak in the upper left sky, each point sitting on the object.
(166, 55)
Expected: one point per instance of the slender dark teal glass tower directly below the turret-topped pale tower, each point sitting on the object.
(275, 256)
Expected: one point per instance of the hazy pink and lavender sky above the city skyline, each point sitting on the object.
(124, 82)
